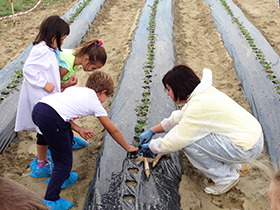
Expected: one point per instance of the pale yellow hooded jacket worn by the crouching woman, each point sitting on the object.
(208, 110)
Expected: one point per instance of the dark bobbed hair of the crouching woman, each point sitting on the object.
(182, 80)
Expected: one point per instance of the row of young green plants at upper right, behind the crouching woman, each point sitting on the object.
(259, 54)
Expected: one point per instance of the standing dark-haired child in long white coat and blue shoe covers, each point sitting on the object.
(41, 77)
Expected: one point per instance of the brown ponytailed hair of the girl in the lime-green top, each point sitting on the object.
(94, 49)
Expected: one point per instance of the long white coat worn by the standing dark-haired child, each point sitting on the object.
(40, 67)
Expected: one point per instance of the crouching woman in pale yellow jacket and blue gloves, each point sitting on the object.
(215, 133)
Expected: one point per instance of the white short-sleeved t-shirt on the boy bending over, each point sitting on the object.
(74, 102)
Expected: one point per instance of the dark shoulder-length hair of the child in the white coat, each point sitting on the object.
(52, 27)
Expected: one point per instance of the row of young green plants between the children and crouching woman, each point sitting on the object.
(142, 107)
